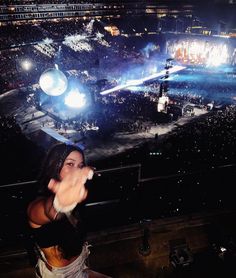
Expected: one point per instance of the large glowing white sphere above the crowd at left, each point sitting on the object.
(53, 82)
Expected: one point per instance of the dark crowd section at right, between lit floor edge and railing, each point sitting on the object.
(194, 146)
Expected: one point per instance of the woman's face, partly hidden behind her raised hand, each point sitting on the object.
(72, 161)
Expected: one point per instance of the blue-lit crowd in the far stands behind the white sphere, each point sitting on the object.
(45, 44)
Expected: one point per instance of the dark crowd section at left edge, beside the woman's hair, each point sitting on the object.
(19, 154)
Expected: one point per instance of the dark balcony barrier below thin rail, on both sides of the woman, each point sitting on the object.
(121, 196)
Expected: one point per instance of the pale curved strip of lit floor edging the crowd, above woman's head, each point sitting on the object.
(32, 121)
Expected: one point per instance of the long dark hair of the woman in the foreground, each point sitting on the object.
(53, 163)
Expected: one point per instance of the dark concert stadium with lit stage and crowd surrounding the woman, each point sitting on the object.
(152, 104)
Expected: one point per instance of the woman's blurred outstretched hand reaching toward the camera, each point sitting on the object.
(71, 189)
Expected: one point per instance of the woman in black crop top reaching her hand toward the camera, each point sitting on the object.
(58, 233)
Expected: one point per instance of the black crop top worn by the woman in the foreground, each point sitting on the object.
(62, 233)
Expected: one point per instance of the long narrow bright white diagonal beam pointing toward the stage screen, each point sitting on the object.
(137, 82)
